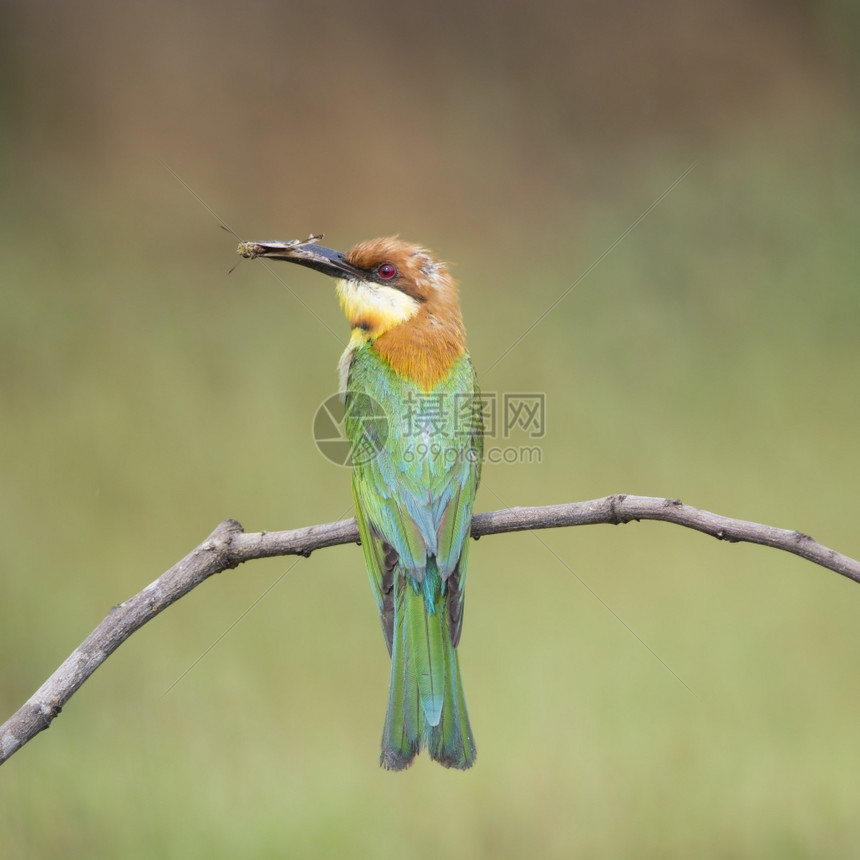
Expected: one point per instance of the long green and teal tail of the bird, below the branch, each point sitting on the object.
(426, 705)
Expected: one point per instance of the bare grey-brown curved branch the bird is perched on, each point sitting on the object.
(229, 546)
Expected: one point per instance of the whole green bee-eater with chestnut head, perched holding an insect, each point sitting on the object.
(413, 419)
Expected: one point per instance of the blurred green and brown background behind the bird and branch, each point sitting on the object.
(712, 355)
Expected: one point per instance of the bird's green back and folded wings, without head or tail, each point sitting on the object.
(415, 495)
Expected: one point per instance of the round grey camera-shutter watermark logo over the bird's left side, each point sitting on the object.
(361, 414)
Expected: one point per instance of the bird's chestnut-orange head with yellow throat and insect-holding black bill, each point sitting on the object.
(396, 295)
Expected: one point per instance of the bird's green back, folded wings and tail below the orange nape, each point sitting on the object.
(414, 508)
